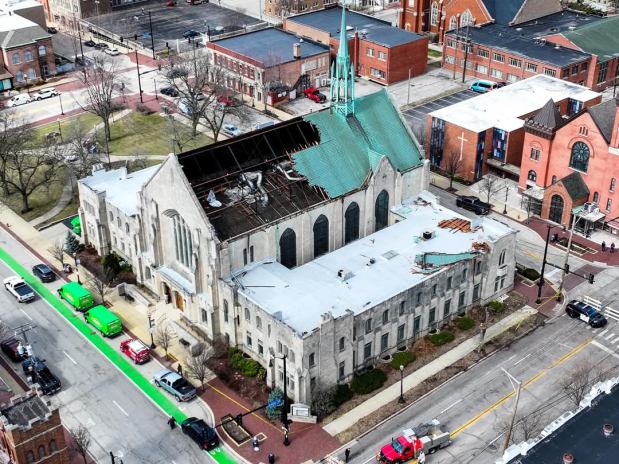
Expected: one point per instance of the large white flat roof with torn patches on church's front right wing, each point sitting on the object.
(304, 293)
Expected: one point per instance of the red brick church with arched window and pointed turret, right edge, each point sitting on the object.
(572, 162)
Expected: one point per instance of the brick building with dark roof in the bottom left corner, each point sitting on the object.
(31, 431)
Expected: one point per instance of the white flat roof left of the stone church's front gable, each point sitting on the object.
(120, 188)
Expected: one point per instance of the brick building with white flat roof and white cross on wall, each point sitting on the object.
(487, 132)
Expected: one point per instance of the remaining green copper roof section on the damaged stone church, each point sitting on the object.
(350, 148)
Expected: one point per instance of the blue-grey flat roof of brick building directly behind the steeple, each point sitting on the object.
(375, 30)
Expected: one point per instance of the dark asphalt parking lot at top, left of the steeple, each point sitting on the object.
(169, 23)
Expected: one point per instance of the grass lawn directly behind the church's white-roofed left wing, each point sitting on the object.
(139, 134)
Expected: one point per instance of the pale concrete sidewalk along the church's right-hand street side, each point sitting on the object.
(392, 393)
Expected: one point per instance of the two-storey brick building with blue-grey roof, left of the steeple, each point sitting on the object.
(266, 64)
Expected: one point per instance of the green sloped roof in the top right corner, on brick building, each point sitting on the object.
(600, 38)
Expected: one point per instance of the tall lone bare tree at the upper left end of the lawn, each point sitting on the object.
(101, 81)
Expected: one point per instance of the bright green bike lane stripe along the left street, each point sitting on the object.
(219, 455)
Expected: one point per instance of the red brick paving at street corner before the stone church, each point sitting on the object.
(307, 441)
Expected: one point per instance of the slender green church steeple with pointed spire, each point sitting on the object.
(342, 75)
